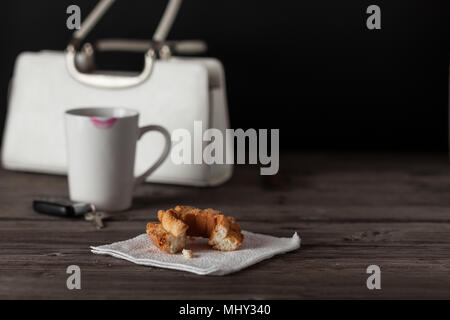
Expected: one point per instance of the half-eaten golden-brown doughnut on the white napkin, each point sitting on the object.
(223, 232)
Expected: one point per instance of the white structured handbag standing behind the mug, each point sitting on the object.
(171, 92)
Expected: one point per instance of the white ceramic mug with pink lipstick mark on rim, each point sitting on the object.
(101, 147)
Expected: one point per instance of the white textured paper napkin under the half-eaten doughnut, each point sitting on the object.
(256, 247)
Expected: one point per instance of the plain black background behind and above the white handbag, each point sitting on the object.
(310, 68)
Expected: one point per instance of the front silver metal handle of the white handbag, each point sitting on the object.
(115, 81)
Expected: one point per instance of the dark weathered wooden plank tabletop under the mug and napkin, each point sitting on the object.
(351, 211)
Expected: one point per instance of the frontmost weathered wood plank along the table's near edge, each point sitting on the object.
(342, 278)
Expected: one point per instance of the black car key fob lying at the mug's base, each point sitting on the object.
(61, 207)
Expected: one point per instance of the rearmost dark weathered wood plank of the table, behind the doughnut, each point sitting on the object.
(403, 190)
